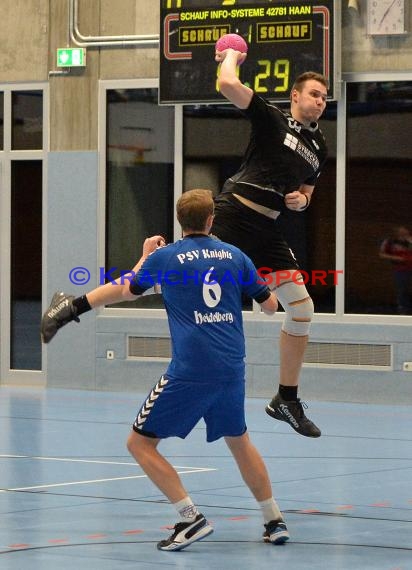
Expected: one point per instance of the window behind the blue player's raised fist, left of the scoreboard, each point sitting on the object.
(139, 179)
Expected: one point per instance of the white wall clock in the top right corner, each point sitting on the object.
(386, 17)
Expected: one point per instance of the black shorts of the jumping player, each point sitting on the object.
(255, 234)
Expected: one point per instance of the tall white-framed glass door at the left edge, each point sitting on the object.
(23, 146)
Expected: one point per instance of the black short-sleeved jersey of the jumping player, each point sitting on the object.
(282, 154)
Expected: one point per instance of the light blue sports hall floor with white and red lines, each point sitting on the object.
(71, 497)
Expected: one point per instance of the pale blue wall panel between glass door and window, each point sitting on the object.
(72, 242)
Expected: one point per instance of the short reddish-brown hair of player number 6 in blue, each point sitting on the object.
(193, 208)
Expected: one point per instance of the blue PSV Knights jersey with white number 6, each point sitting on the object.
(202, 281)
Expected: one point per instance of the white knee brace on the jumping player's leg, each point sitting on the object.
(298, 306)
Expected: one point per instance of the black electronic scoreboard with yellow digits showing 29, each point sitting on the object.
(285, 38)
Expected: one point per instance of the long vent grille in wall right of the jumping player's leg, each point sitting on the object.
(348, 354)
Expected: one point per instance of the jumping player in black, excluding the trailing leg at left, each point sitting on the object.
(282, 162)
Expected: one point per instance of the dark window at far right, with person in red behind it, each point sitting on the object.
(378, 193)
